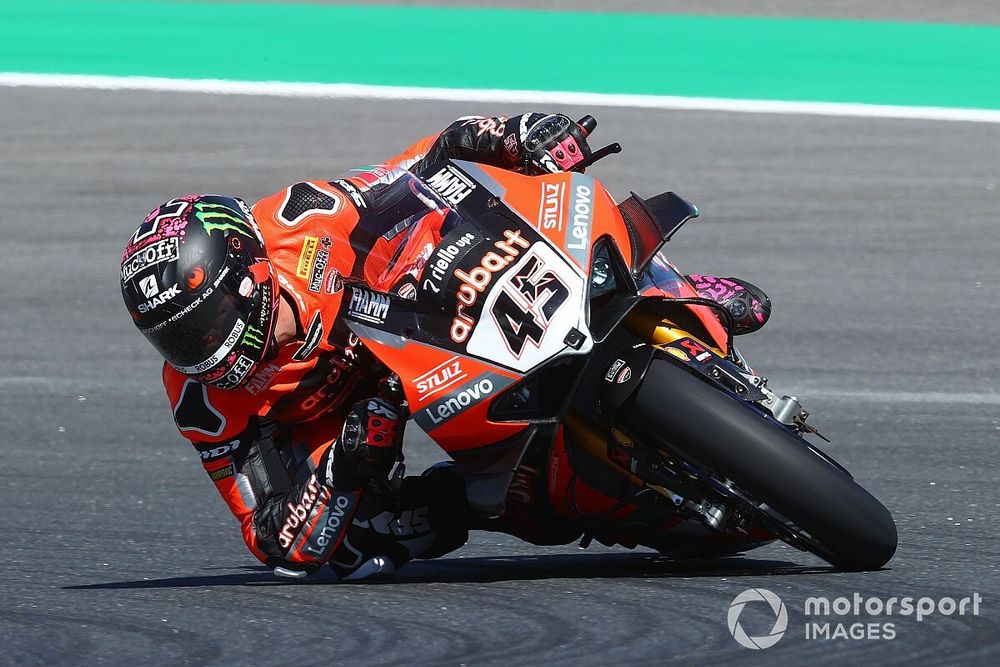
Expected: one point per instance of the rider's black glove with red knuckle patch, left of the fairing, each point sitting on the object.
(367, 443)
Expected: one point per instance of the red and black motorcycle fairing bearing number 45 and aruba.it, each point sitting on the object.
(488, 290)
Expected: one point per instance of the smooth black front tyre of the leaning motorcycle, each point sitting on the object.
(705, 427)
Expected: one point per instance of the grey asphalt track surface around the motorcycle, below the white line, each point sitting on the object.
(877, 241)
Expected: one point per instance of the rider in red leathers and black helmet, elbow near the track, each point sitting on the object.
(296, 423)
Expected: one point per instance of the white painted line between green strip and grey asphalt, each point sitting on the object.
(359, 91)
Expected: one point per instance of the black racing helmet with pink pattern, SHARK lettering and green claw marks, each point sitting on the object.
(198, 283)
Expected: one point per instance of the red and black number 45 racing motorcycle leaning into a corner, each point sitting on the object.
(544, 340)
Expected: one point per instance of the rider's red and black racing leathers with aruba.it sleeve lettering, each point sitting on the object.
(271, 448)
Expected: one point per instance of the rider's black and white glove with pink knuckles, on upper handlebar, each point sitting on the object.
(545, 143)
